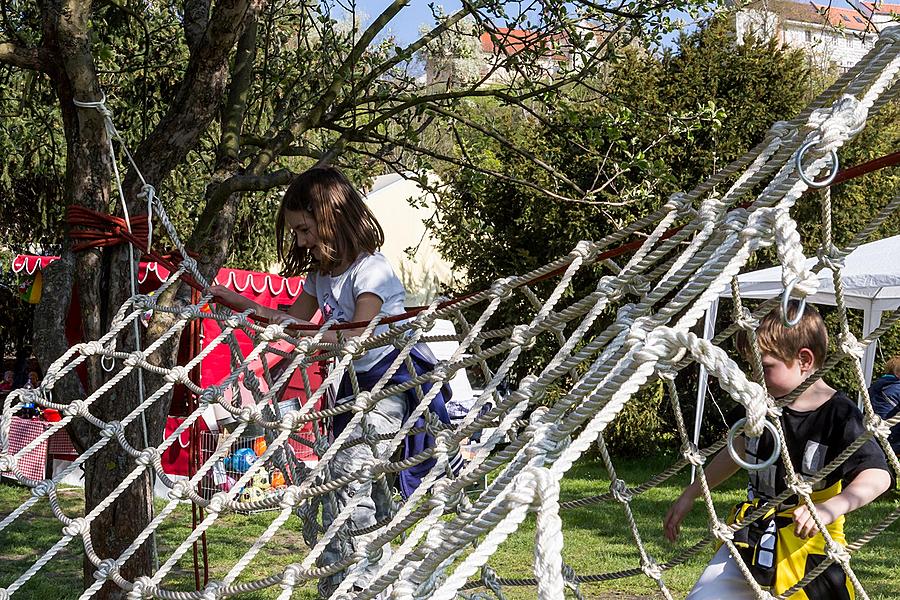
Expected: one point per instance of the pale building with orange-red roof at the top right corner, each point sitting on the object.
(833, 37)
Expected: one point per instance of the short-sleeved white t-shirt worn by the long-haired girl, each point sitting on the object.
(337, 294)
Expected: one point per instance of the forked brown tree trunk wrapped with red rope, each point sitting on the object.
(102, 277)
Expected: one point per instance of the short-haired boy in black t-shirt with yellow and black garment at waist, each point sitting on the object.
(819, 423)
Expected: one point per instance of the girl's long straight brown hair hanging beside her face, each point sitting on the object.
(344, 224)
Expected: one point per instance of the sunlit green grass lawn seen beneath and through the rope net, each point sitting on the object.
(597, 540)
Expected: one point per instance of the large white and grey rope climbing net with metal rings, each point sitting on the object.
(441, 538)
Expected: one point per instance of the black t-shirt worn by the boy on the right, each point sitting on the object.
(814, 439)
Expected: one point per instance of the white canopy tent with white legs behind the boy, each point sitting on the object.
(871, 283)
